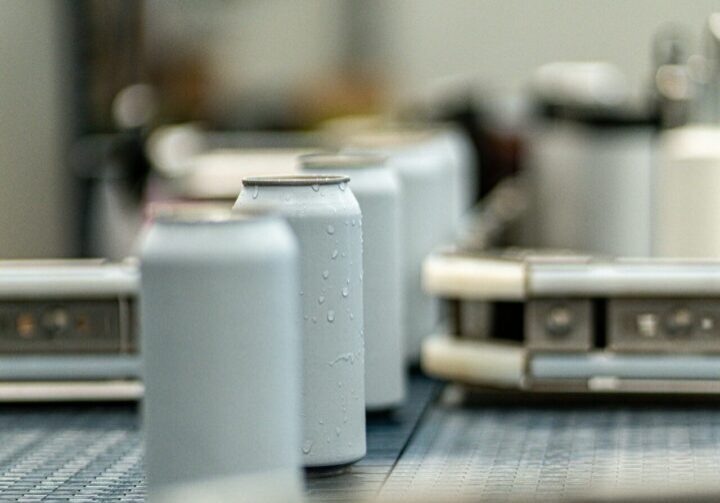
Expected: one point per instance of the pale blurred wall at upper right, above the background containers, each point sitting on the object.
(499, 42)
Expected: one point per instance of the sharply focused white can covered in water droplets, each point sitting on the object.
(325, 216)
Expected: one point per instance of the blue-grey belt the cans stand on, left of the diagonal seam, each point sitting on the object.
(94, 453)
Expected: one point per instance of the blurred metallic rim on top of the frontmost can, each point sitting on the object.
(202, 213)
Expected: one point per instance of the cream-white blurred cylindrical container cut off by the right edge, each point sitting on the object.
(687, 193)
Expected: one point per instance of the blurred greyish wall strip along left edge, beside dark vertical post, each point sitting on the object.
(34, 198)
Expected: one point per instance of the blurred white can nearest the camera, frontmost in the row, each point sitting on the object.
(221, 348)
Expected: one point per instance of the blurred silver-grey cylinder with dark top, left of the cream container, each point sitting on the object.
(591, 186)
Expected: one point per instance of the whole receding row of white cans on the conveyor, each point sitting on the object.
(270, 329)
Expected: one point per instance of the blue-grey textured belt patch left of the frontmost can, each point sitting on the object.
(70, 454)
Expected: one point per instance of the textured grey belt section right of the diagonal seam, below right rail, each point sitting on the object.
(575, 451)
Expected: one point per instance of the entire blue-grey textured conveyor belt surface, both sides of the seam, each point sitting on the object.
(489, 449)
